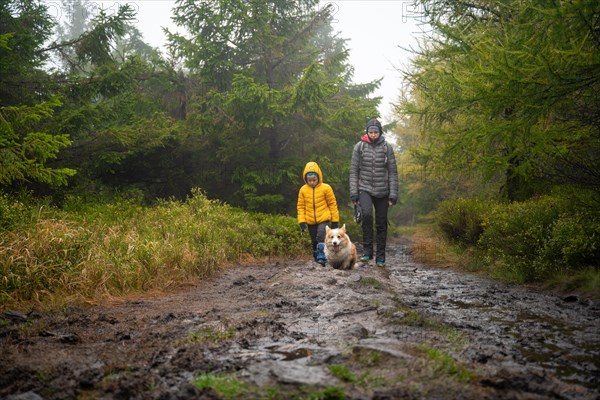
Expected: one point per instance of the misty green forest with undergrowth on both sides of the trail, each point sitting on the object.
(122, 166)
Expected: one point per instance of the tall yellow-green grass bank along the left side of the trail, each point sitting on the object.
(97, 251)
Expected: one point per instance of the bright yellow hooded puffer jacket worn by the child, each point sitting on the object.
(318, 204)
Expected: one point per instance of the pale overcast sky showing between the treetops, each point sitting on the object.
(375, 28)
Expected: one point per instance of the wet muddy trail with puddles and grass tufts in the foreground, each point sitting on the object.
(293, 329)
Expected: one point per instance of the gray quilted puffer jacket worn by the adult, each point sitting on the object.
(373, 169)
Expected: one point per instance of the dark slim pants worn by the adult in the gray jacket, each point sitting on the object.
(380, 205)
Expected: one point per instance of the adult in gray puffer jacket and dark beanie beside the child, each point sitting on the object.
(373, 185)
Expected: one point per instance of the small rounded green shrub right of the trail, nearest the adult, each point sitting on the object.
(461, 220)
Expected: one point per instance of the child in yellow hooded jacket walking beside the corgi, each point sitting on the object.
(316, 208)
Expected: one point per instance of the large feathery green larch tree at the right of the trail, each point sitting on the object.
(511, 89)
